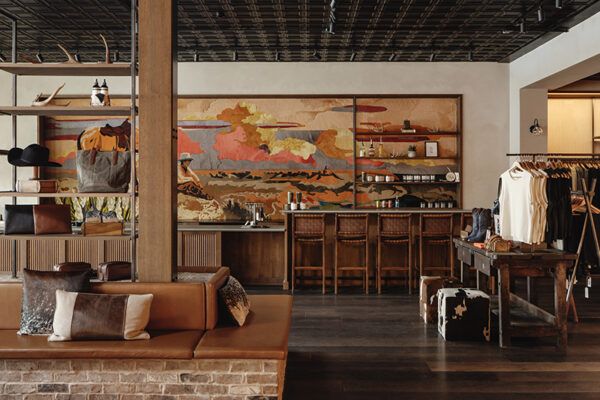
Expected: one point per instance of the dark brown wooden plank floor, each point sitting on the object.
(375, 347)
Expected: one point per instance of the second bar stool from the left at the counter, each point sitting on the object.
(352, 230)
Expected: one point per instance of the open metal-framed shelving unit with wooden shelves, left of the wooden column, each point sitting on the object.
(66, 69)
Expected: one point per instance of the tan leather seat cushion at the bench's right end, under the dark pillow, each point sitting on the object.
(264, 336)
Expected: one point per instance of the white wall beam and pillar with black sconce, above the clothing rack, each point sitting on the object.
(567, 58)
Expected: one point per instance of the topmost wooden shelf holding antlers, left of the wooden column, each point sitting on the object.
(88, 69)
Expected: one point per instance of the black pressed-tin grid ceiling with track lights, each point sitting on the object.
(257, 30)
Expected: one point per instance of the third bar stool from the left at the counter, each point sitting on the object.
(394, 230)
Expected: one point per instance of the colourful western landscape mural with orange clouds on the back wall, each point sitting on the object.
(234, 151)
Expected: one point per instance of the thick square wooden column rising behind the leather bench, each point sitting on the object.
(157, 251)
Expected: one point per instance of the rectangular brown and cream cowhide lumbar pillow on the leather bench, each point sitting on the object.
(81, 316)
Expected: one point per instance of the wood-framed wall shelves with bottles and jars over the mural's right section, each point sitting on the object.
(449, 139)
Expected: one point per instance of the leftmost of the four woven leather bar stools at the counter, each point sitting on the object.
(308, 230)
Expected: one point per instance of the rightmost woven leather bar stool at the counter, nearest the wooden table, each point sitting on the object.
(437, 230)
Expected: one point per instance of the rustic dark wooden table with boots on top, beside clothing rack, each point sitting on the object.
(518, 317)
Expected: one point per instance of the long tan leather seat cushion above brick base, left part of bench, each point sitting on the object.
(162, 345)
